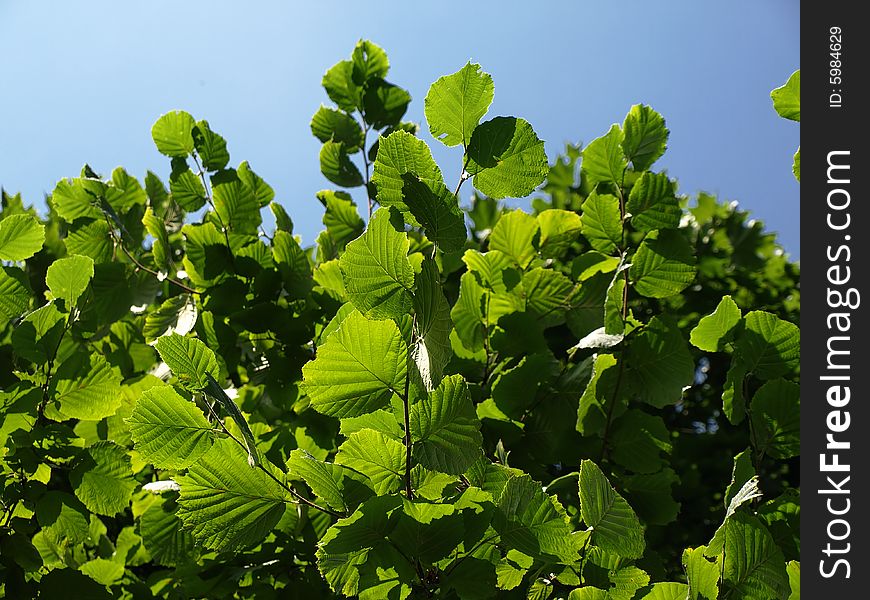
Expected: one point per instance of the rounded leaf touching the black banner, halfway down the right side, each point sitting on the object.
(768, 345)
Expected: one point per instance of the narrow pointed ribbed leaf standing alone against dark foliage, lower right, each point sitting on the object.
(615, 526)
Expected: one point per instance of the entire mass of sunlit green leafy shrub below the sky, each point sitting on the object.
(440, 402)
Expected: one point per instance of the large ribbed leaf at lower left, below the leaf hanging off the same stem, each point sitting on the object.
(227, 505)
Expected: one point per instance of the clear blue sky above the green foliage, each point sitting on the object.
(83, 82)
